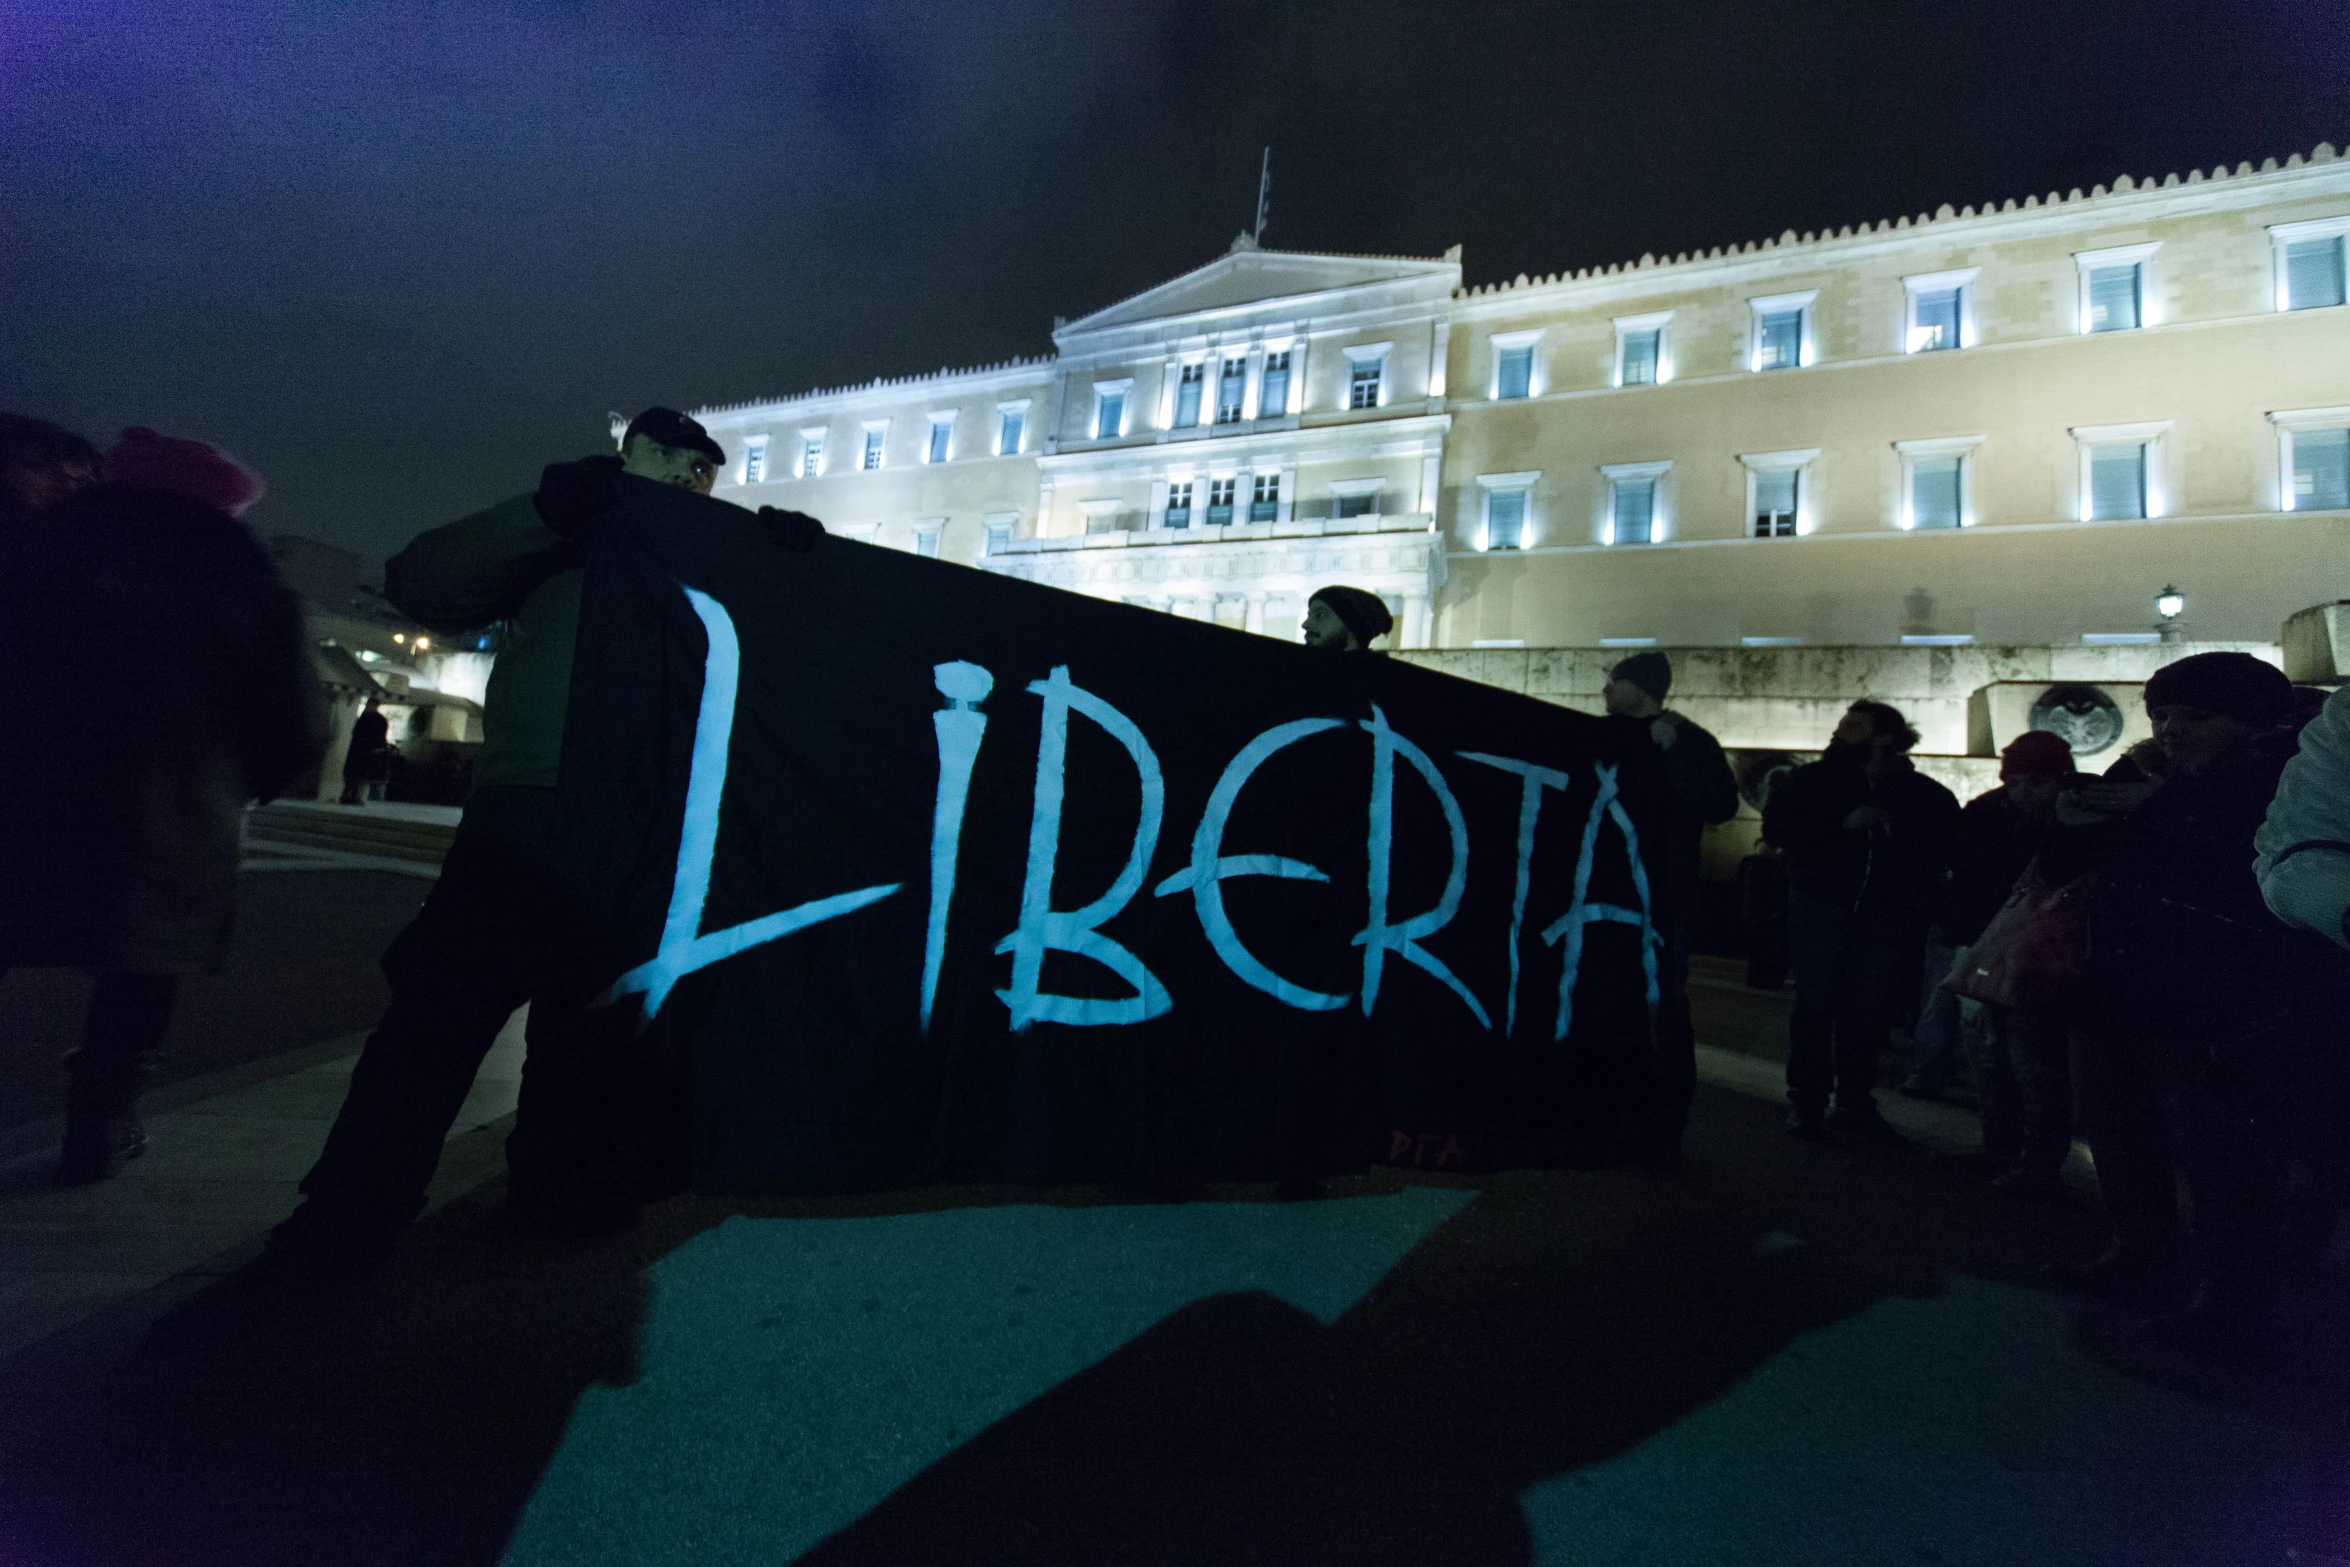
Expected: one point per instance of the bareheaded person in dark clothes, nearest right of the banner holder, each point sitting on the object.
(1867, 840)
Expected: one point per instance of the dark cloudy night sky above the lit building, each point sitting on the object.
(398, 255)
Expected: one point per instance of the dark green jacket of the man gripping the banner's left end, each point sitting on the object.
(504, 565)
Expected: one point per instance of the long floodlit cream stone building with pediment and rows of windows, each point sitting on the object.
(1921, 459)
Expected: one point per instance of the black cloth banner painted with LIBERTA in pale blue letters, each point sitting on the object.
(936, 875)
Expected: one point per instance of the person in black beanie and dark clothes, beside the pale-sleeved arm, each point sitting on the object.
(2189, 1007)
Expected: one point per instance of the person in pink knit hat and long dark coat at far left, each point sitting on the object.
(121, 830)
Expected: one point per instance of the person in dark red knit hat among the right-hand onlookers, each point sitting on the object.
(2020, 1058)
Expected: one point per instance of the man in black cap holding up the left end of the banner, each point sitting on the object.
(502, 927)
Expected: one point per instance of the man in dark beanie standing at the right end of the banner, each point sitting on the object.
(1705, 793)
